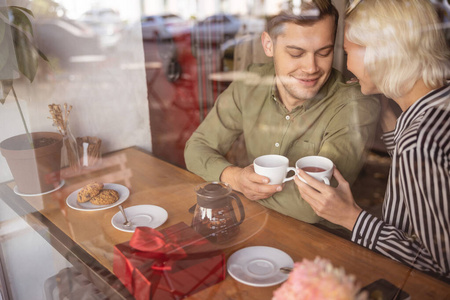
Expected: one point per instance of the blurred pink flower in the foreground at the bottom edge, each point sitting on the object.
(319, 280)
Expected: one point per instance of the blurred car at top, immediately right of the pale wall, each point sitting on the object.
(163, 27)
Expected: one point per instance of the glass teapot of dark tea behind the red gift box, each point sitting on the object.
(214, 215)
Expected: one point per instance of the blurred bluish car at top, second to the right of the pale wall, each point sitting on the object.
(216, 29)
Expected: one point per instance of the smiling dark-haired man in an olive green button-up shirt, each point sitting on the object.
(296, 106)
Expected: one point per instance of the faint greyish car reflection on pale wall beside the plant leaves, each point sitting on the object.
(65, 39)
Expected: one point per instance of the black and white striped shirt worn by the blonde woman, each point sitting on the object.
(415, 227)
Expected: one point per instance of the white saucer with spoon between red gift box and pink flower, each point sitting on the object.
(259, 266)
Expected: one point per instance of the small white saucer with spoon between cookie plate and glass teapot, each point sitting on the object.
(140, 215)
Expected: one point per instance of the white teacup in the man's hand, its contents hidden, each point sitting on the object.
(273, 166)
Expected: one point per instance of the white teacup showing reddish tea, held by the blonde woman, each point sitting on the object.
(319, 167)
